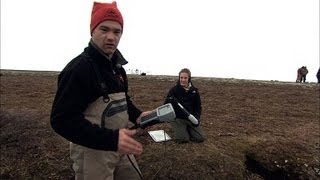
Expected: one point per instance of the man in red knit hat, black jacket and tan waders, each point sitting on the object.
(92, 109)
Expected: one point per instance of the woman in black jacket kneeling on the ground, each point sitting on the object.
(185, 93)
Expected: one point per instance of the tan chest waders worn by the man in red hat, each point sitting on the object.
(91, 164)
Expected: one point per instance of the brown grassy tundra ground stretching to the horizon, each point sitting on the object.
(253, 129)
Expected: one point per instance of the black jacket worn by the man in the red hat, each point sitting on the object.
(78, 86)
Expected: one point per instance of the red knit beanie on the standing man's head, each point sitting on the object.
(104, 11)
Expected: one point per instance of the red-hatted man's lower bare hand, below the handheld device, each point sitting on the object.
(126, 143)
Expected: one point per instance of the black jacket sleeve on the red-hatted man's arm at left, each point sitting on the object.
(67, 117)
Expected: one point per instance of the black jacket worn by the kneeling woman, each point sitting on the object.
(189, 99)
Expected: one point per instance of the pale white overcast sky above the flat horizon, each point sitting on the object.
(243, 39)
